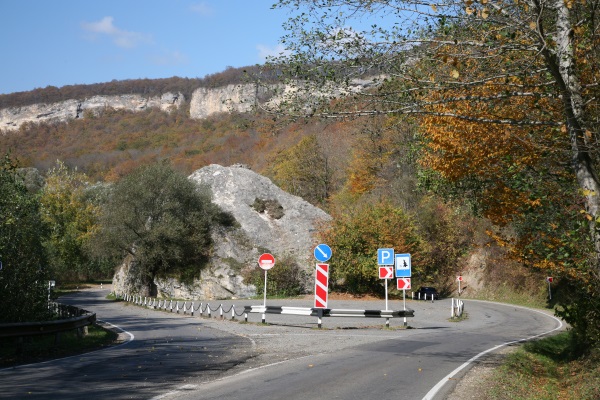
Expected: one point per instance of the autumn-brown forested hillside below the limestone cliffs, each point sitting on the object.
(363, 171)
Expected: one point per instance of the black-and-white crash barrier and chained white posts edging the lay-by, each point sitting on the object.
(191, 309)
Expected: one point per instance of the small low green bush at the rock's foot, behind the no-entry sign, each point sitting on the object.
(286, 278)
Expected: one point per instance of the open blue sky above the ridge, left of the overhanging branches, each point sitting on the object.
(66, 42)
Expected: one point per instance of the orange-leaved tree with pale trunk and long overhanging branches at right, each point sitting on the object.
(508, 87)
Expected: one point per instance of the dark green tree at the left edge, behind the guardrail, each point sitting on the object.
(23, 278)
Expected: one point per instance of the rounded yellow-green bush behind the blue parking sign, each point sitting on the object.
(355, 235)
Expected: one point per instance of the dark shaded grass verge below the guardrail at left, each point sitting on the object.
(41, 348)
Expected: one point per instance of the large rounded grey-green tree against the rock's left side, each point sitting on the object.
(162, 221)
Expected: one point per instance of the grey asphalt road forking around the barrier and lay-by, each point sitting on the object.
(183, 357)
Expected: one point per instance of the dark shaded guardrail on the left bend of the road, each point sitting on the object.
(71, 318)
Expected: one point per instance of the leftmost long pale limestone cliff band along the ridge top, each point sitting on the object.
(12, 118)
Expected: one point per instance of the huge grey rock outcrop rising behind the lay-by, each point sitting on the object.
(270, 220)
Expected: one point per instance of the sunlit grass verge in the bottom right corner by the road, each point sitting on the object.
(547, 369)
